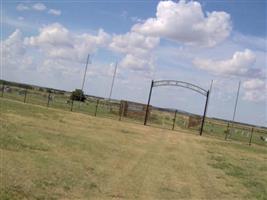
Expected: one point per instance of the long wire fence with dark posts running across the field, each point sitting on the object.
(135, 112)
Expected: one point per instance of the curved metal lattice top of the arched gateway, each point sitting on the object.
(180, 84)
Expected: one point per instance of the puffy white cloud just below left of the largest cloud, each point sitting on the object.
(137, 49)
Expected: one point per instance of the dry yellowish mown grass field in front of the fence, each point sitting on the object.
(48, 153)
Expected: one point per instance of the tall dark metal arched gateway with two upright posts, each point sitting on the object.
(179, 84)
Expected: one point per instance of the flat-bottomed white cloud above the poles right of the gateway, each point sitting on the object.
(240, 64)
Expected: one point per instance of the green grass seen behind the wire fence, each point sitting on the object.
(161, 119)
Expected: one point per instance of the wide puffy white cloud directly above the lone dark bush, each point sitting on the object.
(56, 41)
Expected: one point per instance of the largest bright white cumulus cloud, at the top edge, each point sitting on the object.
(186, 22)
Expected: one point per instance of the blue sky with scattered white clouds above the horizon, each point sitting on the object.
(46, 43)
